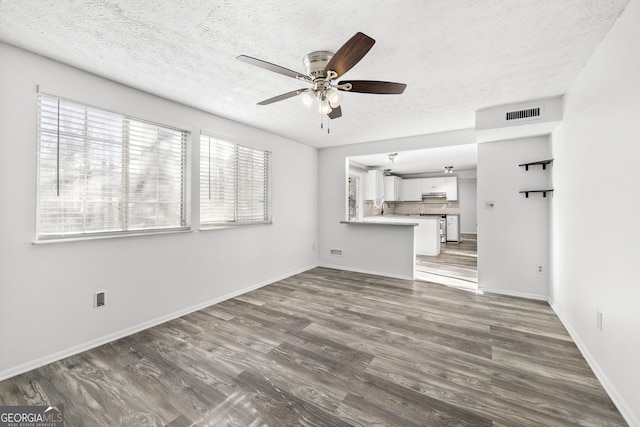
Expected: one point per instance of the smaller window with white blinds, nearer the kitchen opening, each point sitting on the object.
(235, 183)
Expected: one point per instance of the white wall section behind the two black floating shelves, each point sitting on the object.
(513, 236)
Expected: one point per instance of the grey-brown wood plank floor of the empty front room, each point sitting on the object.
(334, 348)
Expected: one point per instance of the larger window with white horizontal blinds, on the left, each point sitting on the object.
(105, 173)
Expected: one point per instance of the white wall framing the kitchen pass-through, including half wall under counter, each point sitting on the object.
(381, 250)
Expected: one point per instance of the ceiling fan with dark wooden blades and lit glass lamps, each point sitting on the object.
(322, 69)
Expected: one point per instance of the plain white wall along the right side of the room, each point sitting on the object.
(595, 251)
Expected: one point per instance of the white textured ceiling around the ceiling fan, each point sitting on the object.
(456, 56)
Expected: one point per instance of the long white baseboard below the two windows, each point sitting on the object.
(28, 366)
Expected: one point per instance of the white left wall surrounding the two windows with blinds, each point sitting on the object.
(46, 291)
